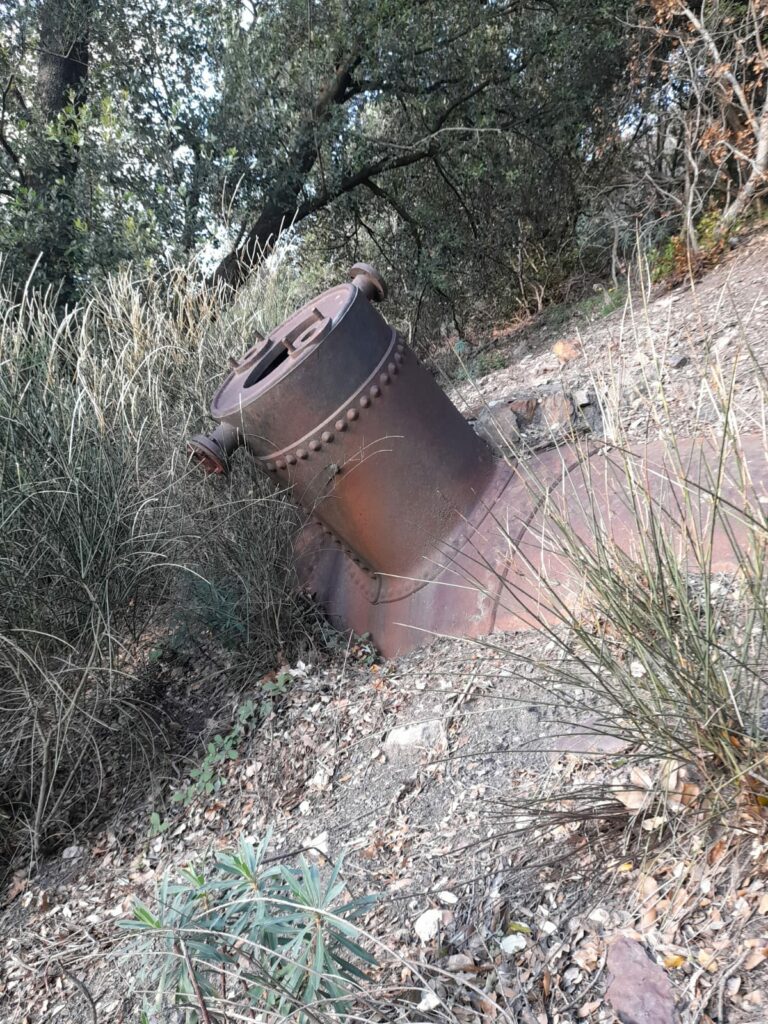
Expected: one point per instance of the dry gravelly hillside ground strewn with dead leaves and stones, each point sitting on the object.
(430, 822)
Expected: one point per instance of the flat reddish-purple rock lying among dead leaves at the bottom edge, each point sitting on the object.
(638, 991)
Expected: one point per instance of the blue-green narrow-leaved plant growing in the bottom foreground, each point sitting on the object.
(253, 935)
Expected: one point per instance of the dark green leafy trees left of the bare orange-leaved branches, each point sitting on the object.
(449, 143)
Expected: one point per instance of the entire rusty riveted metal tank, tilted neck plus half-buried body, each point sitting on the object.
(417, 530)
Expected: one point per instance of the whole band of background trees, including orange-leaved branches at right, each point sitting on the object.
(485, 153)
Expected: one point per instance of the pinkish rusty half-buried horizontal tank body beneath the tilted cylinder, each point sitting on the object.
(516, 568)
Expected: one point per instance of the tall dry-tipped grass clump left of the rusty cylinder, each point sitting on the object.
(110, 542)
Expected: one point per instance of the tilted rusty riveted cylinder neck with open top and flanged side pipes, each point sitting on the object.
(335, 406)
